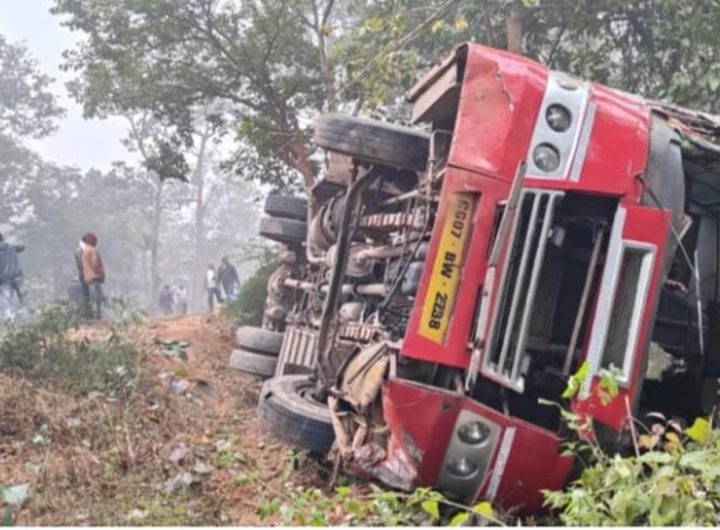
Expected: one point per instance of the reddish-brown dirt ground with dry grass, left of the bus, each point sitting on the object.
(184, 449)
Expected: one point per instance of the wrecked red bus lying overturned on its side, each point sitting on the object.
(438, 286)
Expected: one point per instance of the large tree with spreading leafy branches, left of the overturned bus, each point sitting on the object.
(267, 59)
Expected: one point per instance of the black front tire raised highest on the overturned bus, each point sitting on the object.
(373, 141)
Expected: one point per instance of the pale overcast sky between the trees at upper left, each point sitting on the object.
(77, 142)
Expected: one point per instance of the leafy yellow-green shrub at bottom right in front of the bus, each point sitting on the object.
(672, 477)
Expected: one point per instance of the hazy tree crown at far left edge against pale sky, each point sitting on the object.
(27, 108)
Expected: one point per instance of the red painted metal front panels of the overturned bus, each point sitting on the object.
(499, 104)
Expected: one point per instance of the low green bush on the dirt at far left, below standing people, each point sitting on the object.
(42, 350)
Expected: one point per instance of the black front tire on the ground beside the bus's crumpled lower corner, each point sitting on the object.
(287, 411)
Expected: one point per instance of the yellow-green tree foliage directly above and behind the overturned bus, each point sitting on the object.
(657, 48)
